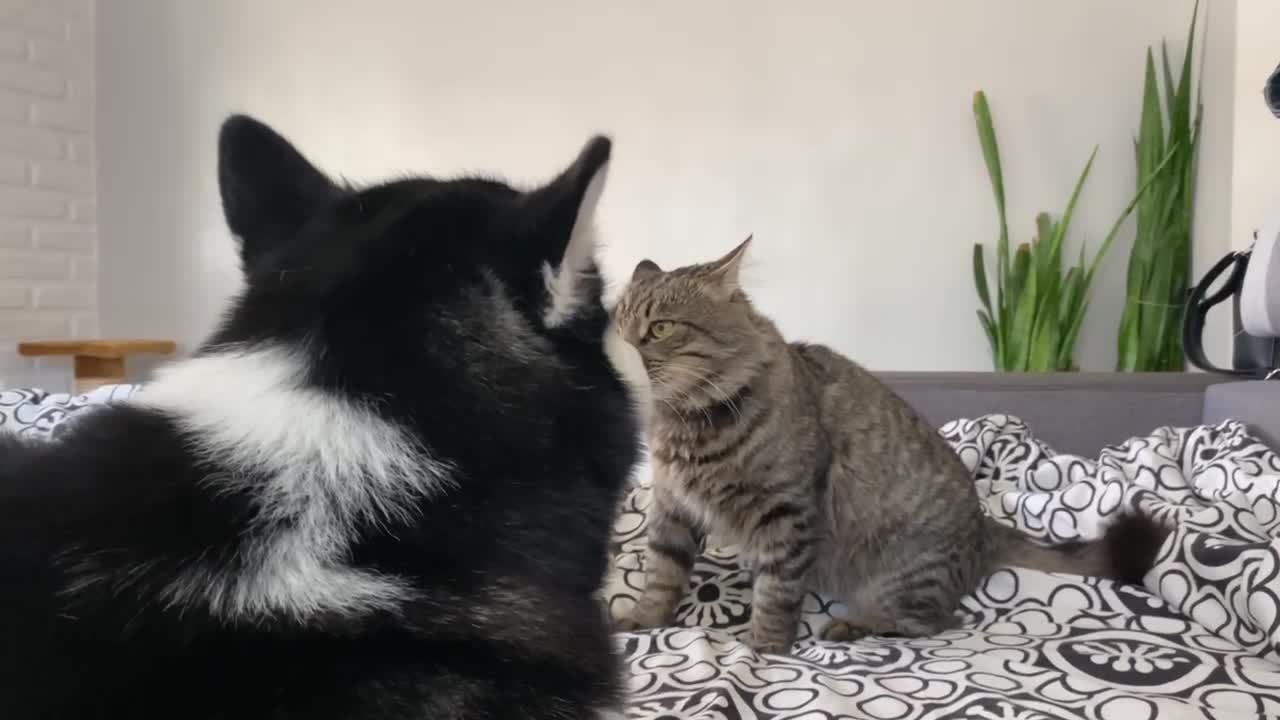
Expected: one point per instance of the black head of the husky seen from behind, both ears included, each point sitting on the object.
(433, 299)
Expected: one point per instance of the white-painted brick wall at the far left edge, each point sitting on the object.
(48, 206)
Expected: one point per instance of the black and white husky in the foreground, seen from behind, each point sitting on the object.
(383, 489)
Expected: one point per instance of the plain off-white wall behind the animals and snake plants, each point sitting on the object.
(839, 133)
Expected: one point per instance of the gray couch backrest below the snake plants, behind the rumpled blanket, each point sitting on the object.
(1081, 413)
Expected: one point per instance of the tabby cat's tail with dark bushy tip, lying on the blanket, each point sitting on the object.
(1127, 552)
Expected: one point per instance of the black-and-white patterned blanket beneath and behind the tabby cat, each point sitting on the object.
(1203, 641)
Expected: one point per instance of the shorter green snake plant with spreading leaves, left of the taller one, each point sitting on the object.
(1039, 309)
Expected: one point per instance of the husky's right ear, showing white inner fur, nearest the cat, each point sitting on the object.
(565, 216)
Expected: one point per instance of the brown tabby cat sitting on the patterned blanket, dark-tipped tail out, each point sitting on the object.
(817, 472)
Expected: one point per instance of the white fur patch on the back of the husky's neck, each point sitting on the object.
(318, 466)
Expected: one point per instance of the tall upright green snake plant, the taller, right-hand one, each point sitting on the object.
(1151, 326)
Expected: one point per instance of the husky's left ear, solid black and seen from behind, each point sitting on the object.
(269, 189)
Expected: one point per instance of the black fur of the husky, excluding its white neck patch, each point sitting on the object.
(401, 297)
